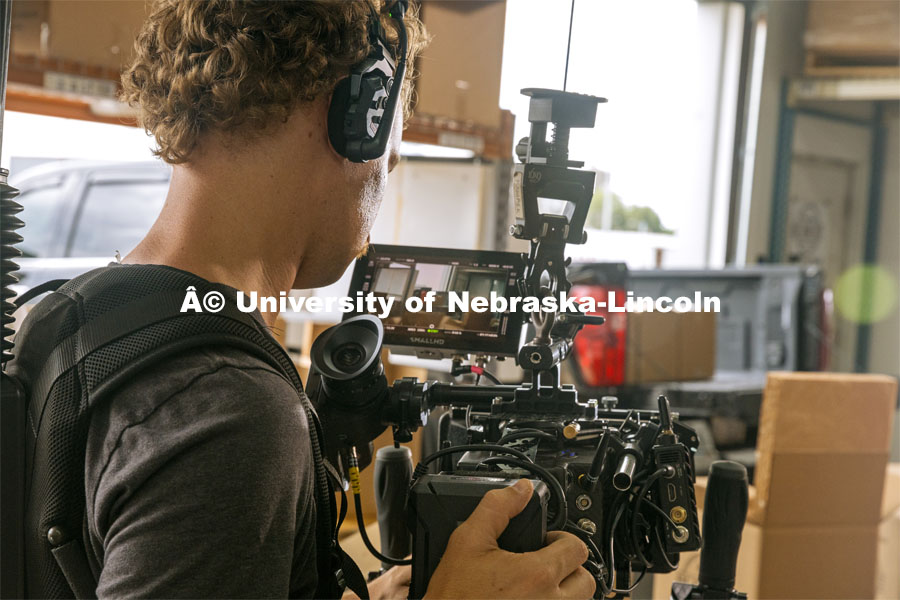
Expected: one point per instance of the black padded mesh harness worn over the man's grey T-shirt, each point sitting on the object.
(81, 343)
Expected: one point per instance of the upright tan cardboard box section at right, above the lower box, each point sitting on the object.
(823, 446)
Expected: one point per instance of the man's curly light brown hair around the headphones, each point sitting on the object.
(226, 65)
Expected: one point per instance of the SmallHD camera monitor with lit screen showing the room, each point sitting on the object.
(396, 273)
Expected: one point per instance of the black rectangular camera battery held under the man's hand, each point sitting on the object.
(439, 503)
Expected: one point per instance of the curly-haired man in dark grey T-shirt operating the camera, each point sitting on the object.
(199, 475)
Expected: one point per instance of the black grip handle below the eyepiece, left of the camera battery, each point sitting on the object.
(393, 471)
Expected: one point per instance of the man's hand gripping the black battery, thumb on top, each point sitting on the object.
(474, 566)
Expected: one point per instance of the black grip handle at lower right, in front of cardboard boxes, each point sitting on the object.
(724, 513)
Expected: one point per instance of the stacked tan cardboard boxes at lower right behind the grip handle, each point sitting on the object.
(815, 528)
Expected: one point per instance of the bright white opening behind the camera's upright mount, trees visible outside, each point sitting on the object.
(668, 70)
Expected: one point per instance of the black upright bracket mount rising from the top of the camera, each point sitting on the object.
(552, 196)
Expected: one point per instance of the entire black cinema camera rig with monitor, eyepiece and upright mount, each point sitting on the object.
(621, 480)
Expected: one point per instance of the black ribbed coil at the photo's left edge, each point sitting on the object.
(9, 223)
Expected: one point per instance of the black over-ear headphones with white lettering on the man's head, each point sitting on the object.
(363, 105)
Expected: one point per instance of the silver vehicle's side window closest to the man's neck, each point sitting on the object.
(115, 216)
